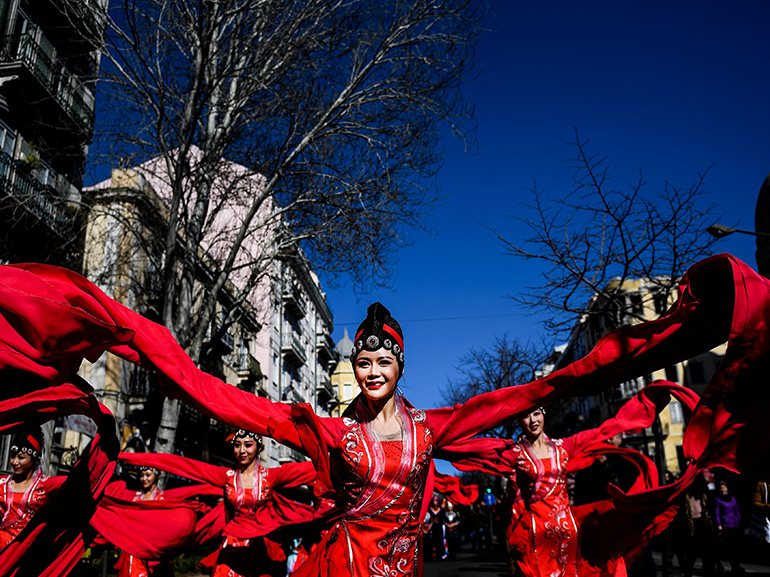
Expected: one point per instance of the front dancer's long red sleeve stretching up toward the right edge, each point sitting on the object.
(713, 293)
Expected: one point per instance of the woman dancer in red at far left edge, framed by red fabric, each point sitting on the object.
(25, 491)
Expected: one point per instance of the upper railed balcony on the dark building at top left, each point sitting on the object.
(27, 53)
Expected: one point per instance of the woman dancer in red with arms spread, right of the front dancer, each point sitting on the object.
(545, 531)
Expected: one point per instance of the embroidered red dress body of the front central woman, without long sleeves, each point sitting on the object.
(380, 483)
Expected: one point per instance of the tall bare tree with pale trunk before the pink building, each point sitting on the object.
(276, 128)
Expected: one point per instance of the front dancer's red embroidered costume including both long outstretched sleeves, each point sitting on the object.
(721, 299)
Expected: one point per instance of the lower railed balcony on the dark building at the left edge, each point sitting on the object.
(19, 182)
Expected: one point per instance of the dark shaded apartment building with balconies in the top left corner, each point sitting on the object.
(49, 59)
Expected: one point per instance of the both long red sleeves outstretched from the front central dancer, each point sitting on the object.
(721, 299)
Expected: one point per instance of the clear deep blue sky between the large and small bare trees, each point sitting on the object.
(668, 88)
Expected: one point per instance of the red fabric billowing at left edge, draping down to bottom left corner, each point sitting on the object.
(40, 382)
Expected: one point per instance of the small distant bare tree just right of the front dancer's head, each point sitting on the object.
(506, 363)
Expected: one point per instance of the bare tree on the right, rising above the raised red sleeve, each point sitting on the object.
(596, 237)
